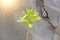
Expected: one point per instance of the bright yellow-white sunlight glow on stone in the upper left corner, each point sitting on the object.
(9, 6)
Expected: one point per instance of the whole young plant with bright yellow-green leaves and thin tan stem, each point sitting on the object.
(28, 18)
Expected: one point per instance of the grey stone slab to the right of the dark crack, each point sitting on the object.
(53, 9)
